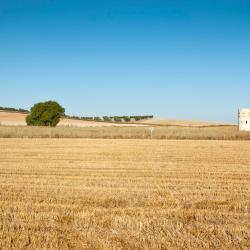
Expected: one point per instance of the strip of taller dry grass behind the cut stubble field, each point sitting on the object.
(171, 132)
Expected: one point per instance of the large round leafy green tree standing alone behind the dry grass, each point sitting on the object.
(45, 114)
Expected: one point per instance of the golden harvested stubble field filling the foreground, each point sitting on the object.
(124, 194)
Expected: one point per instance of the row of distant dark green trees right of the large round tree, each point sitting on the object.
(112, 118)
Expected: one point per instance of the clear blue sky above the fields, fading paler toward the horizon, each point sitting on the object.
(174, 59)
